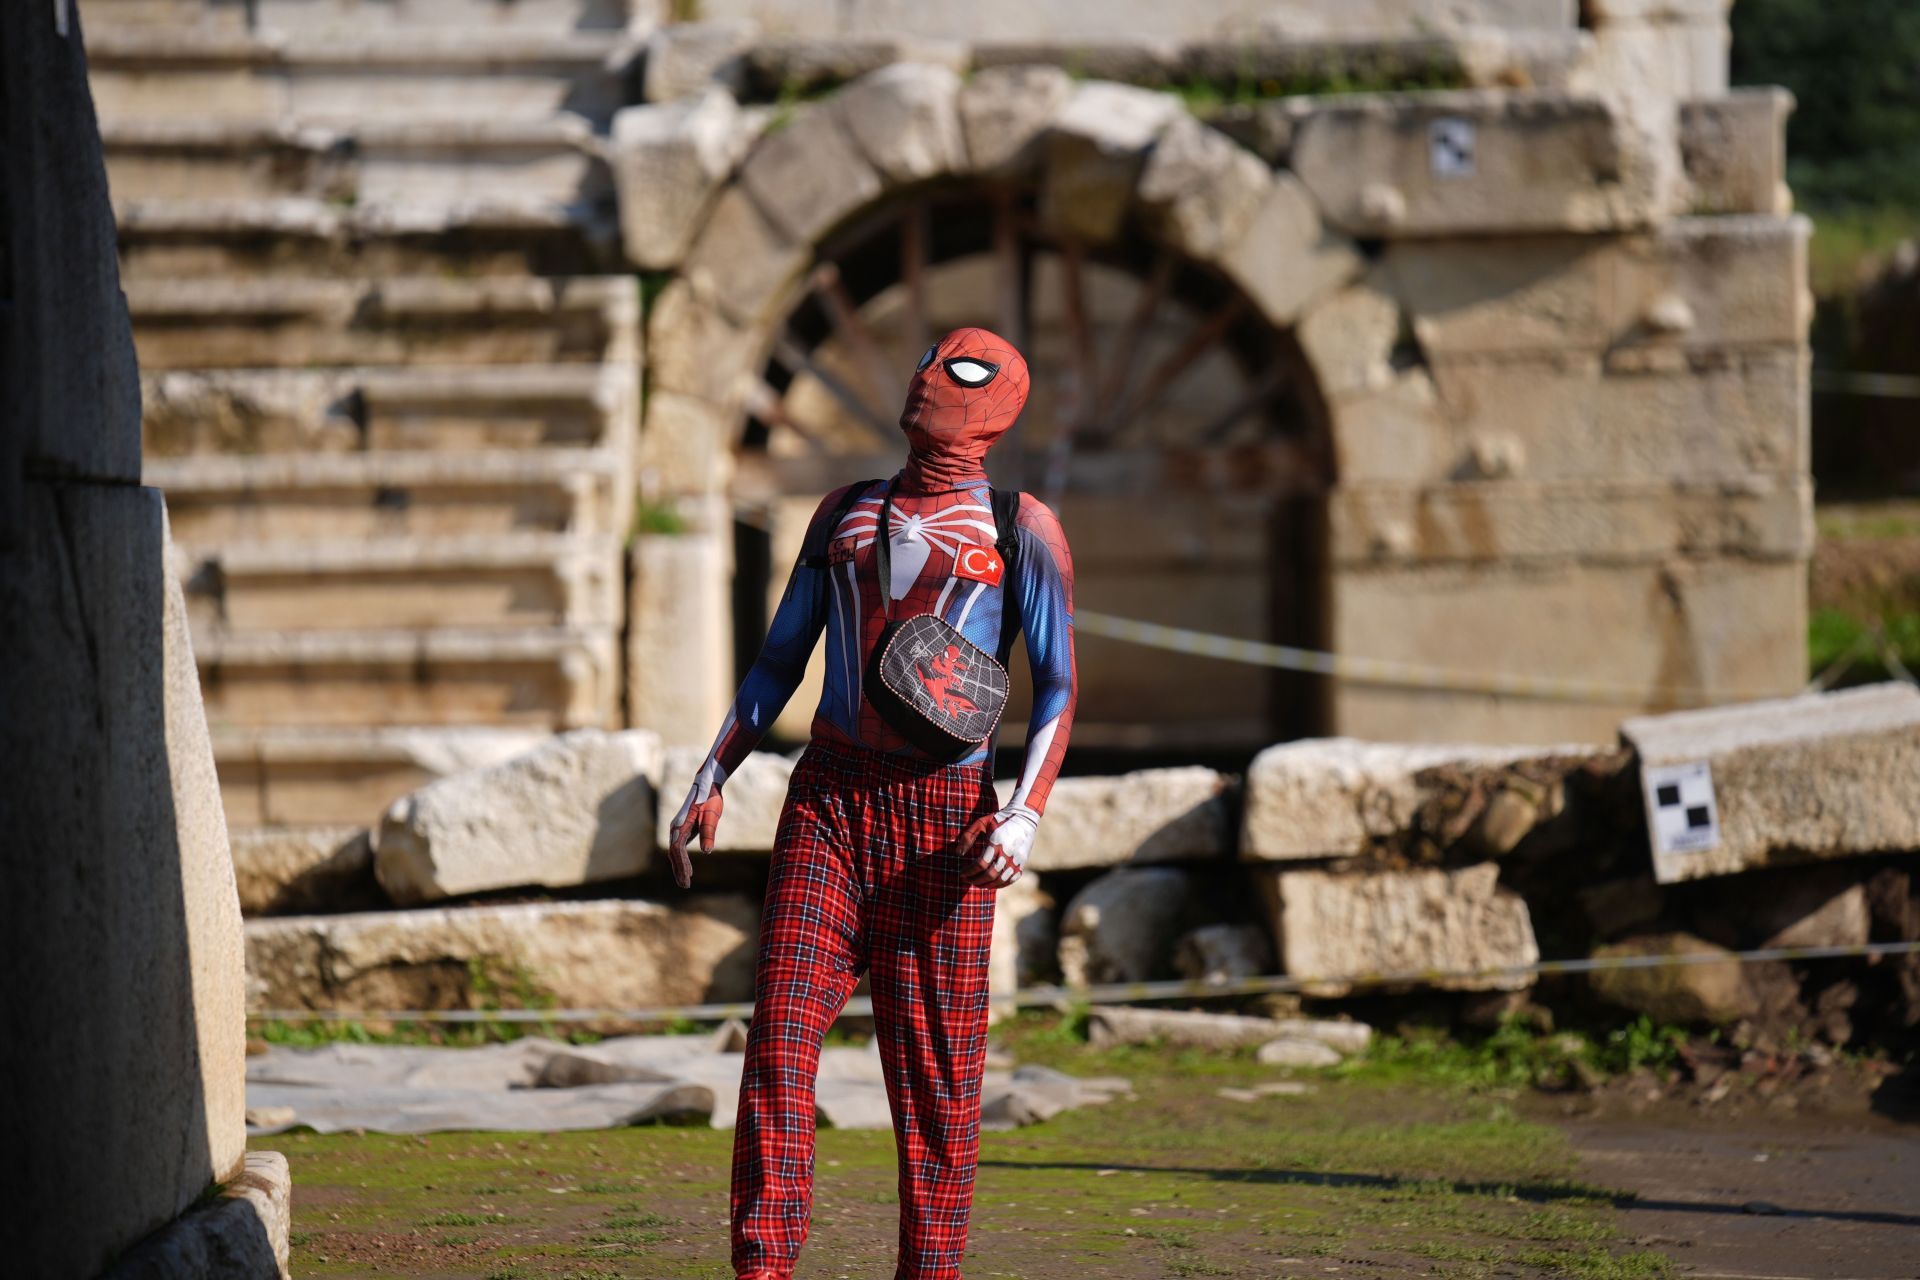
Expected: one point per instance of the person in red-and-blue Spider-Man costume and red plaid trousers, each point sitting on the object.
(888, 861)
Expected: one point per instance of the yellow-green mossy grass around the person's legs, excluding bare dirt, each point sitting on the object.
(1383, 1162)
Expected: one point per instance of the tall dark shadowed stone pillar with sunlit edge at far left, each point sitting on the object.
(126, 1020)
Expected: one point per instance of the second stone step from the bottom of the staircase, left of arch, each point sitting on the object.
(539, 678)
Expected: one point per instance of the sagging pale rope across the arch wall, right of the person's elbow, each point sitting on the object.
(1395, 675)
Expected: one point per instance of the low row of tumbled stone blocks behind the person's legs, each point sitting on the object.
(1360, 870)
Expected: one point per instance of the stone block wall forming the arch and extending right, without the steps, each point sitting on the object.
(1562, 367)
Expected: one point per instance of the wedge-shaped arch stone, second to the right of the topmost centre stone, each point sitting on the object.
(1201, 189)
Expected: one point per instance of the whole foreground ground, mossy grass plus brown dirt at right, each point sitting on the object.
(1343, 1177)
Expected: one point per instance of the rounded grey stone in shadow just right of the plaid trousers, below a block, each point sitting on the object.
(1122, 926)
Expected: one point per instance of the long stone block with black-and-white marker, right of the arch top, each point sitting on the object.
(1539, 162)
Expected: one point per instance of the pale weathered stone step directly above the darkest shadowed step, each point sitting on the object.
(368, 174)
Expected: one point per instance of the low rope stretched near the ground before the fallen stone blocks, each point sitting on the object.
(1120, 993)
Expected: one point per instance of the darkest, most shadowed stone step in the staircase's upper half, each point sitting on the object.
(302, 239)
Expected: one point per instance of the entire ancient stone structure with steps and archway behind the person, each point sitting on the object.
(1537, 300)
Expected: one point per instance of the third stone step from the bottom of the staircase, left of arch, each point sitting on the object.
(514, 581)
